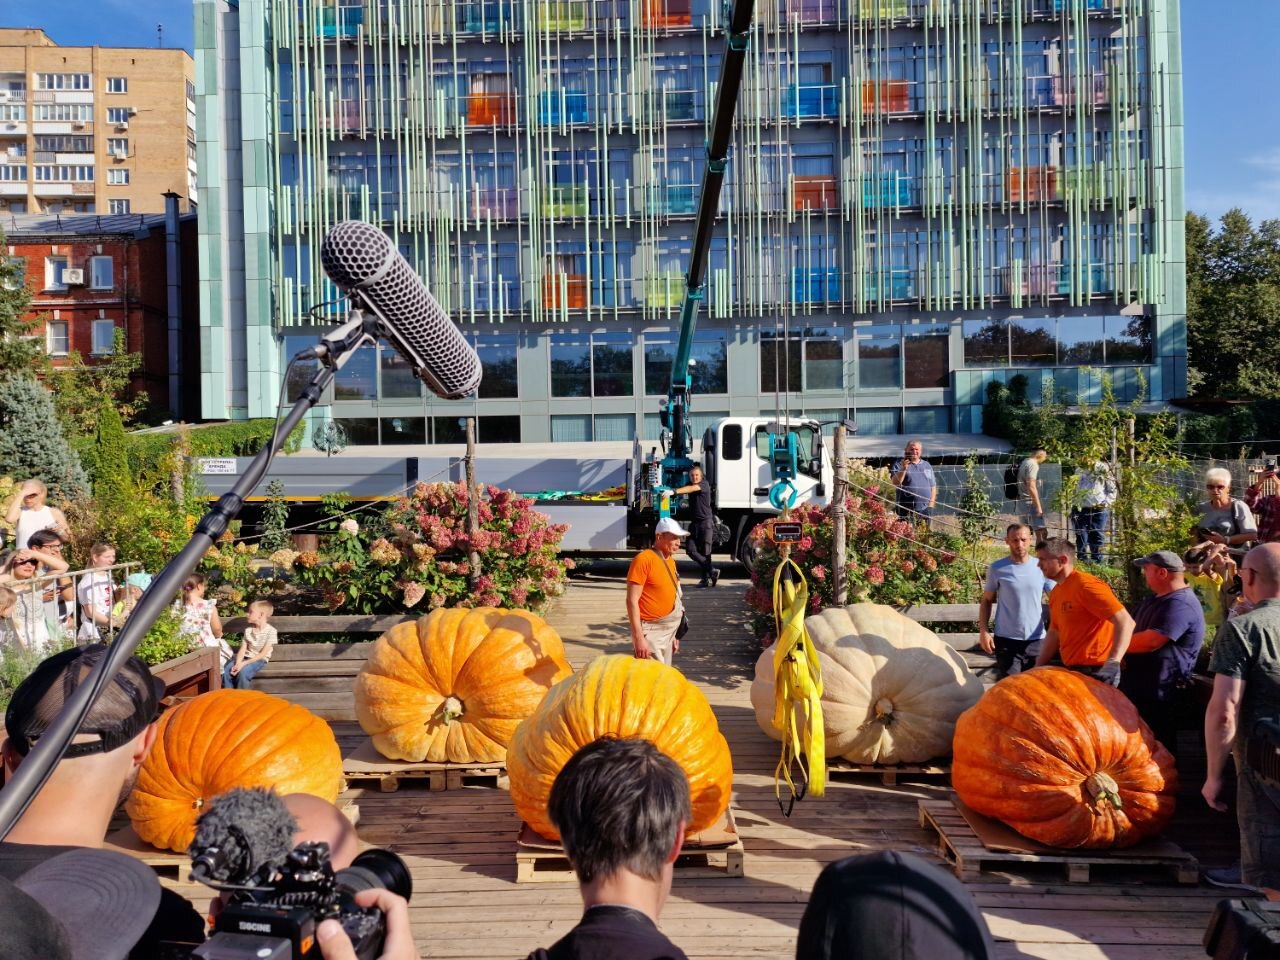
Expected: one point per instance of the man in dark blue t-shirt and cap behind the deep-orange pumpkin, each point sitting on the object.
(1168, 636)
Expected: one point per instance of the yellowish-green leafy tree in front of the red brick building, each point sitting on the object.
(83, 391)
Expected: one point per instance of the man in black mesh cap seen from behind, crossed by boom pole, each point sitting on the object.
(75, 807)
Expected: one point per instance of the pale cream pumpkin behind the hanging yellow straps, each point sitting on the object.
(892, 692)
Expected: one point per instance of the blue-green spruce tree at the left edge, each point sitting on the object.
(31, 442)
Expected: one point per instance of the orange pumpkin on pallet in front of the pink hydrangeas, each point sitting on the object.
(454, 687)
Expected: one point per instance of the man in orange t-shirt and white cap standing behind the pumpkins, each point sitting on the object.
(655, 607)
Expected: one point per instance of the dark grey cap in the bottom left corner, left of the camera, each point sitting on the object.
(77, 906)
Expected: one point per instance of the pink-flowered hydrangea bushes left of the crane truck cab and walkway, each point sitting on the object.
(417, 555)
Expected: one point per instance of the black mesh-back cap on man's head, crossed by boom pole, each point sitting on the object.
(124, 710)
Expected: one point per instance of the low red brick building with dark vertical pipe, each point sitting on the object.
(94, 277)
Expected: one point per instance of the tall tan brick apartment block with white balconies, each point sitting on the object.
(94, 130)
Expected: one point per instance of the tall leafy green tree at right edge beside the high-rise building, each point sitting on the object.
(1233, 307)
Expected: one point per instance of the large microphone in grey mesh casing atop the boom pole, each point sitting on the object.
(363, 262)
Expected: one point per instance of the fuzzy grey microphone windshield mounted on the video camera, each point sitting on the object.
(240, 834)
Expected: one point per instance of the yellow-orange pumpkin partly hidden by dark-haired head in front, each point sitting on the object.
(621, 697)
